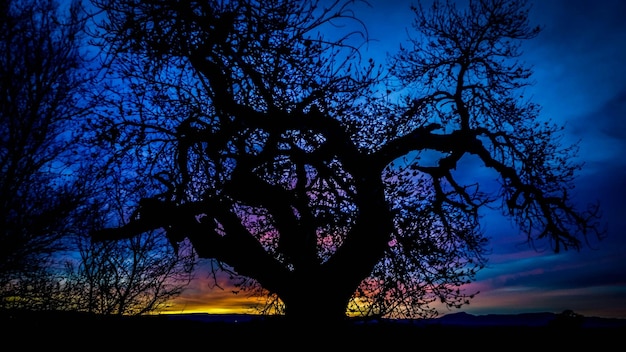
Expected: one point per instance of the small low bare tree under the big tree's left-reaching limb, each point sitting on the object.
(133, 277)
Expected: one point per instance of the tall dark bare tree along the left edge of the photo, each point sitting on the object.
(39, 189)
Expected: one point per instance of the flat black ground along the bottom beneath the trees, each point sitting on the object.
(76, 331)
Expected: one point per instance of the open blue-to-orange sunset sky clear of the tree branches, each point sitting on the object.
(579, 62)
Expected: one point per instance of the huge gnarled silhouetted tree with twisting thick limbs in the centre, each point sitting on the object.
(263, 140)
